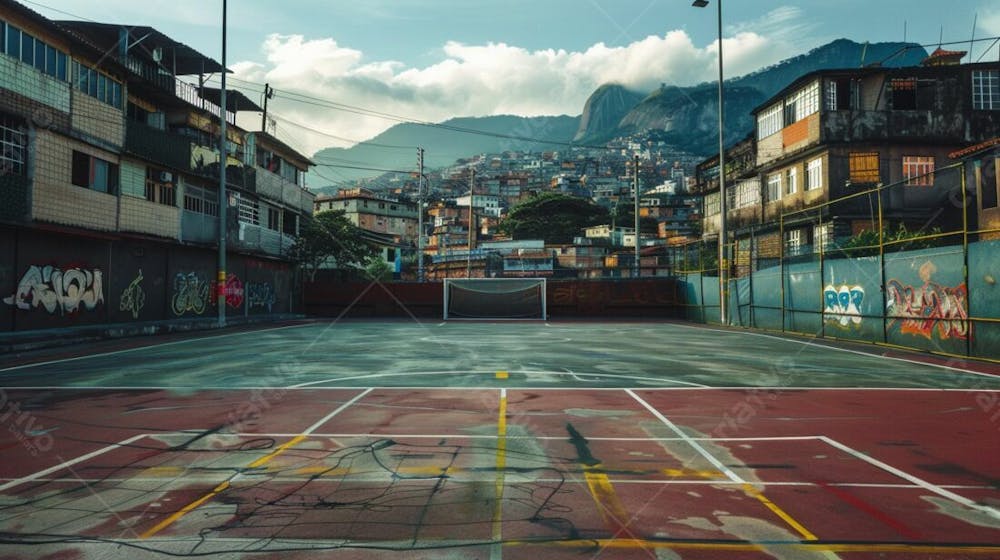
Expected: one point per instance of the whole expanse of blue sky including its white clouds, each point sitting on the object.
(435, 59)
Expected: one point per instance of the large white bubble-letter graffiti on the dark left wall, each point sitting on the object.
(54, 289)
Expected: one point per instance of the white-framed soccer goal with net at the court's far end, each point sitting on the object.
(494, 298)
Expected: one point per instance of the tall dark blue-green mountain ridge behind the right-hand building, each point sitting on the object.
(687, 117)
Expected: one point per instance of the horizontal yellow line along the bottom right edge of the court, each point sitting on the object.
(930, 548)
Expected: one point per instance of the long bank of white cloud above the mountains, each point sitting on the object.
(483, 79)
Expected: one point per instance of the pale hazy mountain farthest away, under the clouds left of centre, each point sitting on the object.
(396, 148)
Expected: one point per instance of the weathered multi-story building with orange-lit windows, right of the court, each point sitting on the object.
(832, 134)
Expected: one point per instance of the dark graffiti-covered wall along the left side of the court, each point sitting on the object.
(51, 280)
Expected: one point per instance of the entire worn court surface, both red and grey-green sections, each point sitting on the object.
(367, 440)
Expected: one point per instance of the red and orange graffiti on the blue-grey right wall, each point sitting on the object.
(920, 310)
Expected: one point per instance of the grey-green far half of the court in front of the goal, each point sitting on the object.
(474, 354)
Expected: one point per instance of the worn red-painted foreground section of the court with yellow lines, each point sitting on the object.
(501, 473)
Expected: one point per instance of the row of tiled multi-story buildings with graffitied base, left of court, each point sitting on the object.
(110, 176)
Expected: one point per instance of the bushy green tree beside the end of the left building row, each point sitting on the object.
(330, 235)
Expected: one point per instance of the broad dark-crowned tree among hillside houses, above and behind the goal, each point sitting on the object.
(554, 217)
